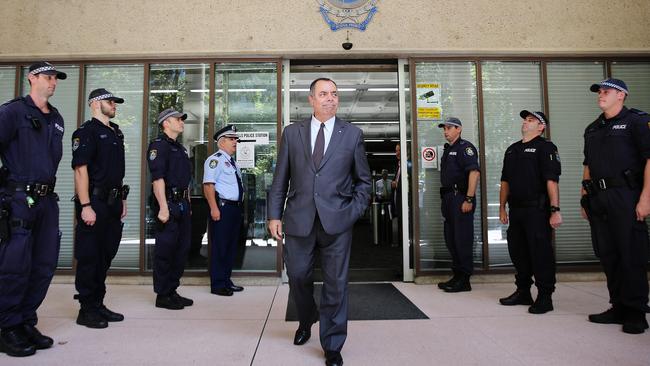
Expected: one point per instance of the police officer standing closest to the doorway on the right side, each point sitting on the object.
(459, 178)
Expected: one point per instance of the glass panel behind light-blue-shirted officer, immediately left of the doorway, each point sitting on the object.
(246, 96)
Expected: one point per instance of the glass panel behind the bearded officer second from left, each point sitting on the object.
(126, 82)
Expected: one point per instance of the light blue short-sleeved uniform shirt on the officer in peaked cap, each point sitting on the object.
(219, 170)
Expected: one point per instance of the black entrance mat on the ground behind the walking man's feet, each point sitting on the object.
(370, 301)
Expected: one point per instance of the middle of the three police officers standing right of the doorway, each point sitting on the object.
(529, 184)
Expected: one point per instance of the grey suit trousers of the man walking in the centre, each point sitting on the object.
(299, 257)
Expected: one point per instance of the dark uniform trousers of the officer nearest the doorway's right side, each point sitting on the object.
(459, 232)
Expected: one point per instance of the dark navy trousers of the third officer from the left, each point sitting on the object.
(172, 245)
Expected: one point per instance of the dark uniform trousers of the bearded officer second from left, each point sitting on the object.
(95, 248)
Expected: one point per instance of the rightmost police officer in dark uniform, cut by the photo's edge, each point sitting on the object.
(617, 184)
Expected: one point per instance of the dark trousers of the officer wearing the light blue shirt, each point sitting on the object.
(225, 235)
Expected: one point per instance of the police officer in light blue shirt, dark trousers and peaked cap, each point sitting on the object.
(223, 189)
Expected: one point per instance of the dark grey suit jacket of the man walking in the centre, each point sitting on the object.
(339, 189)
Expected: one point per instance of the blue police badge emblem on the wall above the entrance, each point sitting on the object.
(341, 14)
